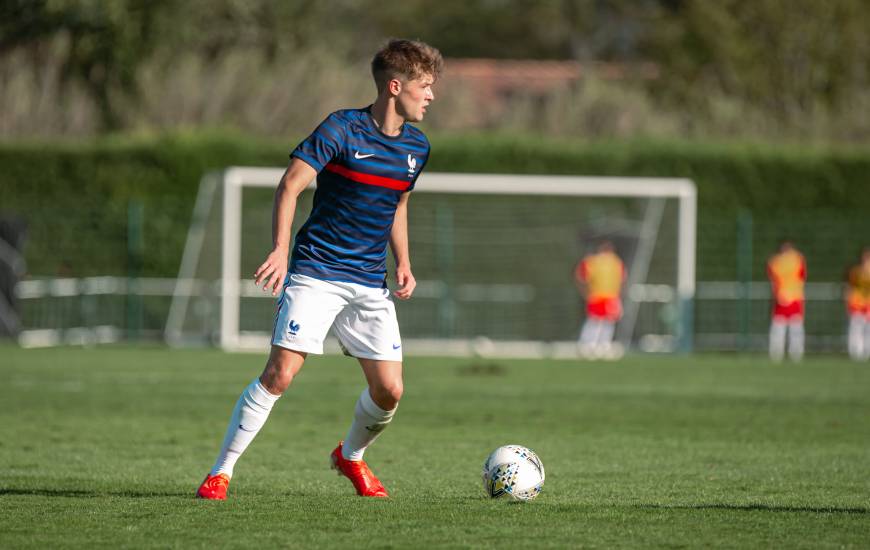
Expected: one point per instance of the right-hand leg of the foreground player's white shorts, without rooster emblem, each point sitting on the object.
(368, 328)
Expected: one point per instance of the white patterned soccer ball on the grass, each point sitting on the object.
(513, 471)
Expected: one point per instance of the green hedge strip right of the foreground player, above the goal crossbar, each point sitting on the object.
(728, 176)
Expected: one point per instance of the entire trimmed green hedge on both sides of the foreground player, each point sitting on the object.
(75, 196)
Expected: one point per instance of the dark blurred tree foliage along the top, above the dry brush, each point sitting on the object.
(792, 61)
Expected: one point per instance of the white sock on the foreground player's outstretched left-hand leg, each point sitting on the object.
(252, 410)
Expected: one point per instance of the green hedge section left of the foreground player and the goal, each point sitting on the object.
(75, 197)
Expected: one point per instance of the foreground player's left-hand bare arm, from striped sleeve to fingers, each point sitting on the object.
(295, 179)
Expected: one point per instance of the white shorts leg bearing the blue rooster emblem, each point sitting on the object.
(306, 310)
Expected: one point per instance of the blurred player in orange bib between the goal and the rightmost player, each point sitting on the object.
(787, 271)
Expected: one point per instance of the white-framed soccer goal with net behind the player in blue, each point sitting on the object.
(493, 255)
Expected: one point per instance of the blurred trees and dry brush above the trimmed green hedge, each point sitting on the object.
(768, 70)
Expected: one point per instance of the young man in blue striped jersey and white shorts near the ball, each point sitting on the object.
(366, 162)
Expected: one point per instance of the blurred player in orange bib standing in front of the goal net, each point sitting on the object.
(599, 278)
